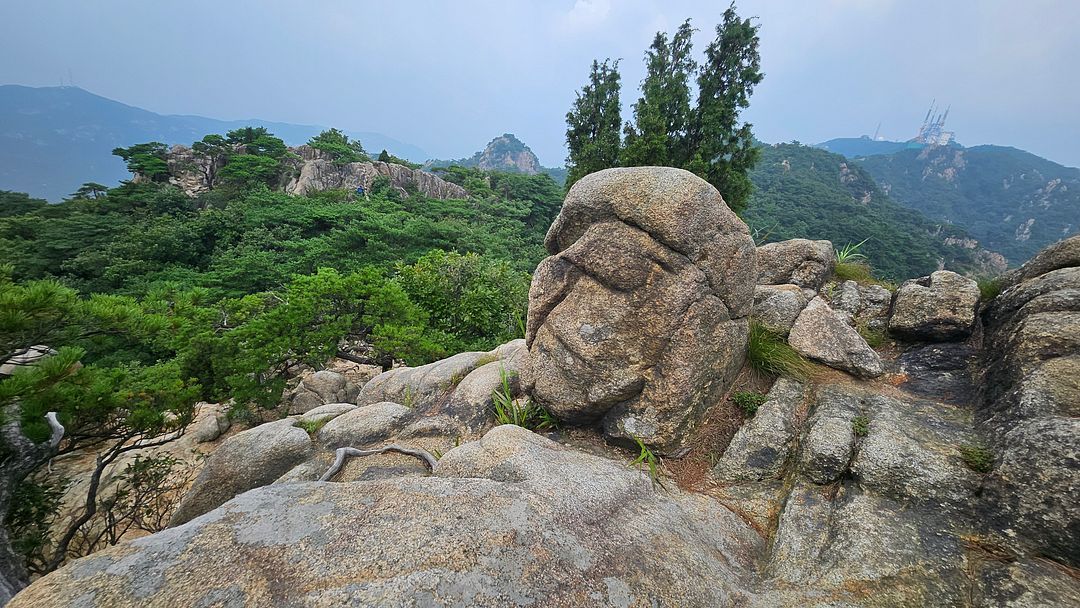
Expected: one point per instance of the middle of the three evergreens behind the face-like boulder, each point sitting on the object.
(663, 114)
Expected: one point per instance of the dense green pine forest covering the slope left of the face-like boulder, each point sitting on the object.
(151, 301)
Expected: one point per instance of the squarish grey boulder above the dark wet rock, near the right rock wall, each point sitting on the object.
(938, 308)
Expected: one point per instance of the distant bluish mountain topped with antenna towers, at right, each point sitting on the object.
(1012, 201)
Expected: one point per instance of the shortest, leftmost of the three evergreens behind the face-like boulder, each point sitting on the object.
(593, 124)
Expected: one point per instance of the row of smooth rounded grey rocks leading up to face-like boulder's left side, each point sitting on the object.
(435, 407)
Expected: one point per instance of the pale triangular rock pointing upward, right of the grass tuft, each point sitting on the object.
(822, 335)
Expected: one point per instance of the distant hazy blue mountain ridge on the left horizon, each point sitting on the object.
(55, 139)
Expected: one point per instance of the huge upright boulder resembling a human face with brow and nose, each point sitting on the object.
(640, 317)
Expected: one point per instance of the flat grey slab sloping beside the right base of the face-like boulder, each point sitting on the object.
(763, 445)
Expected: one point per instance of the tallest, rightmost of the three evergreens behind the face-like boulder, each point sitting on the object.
(723, 152)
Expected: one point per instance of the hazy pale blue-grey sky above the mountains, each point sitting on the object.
(450, 76)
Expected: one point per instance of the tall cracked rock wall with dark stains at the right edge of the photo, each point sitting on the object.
(1031, 407)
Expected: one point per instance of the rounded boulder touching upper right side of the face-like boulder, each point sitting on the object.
(800, 262)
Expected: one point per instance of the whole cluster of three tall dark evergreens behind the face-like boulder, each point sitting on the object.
(707, 139)
